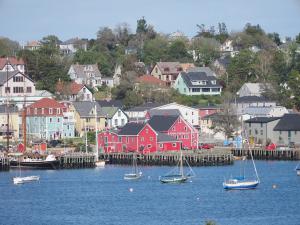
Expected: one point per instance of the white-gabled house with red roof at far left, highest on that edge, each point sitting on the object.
(12, 64)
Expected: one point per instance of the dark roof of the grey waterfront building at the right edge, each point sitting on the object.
(289, 122)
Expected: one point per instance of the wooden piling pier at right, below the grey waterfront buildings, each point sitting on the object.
(261, 154)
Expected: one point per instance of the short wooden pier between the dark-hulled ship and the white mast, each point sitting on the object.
(77, 160)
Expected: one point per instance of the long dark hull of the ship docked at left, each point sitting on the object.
(35, 165)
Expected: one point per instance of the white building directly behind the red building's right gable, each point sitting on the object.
(188, 113)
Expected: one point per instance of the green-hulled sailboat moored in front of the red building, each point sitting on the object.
(177, 174)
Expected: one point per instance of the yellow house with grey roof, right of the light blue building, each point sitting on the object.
(85, 117)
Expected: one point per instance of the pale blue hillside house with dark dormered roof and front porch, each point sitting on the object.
(197, 83)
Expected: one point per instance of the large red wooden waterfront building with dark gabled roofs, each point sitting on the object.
(161, 133)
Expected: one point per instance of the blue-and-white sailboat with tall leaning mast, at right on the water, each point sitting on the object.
(241, 182)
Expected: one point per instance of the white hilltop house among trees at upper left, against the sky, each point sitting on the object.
(72, 45)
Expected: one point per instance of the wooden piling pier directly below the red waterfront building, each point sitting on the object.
(200, 158)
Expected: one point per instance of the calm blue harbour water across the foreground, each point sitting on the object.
(101, 196)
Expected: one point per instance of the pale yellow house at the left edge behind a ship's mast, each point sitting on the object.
(13, 123)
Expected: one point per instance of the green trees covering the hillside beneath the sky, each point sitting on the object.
(270, 62)
